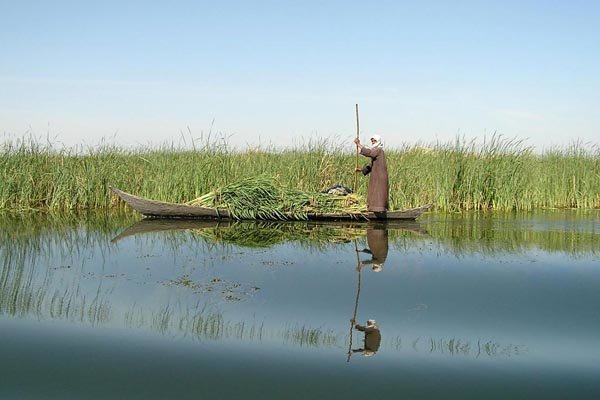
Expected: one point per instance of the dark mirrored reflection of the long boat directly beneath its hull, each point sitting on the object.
(162, 225)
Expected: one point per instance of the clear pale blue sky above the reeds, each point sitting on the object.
(284, 73)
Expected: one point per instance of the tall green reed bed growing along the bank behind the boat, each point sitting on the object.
(500, 174)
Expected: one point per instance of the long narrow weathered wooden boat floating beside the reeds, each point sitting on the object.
(161, 209)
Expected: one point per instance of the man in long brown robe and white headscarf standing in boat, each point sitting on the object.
(377, 196)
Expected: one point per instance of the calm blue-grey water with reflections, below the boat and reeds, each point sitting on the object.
(468, 306)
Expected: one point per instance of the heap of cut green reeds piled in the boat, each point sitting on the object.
(262, 197)
